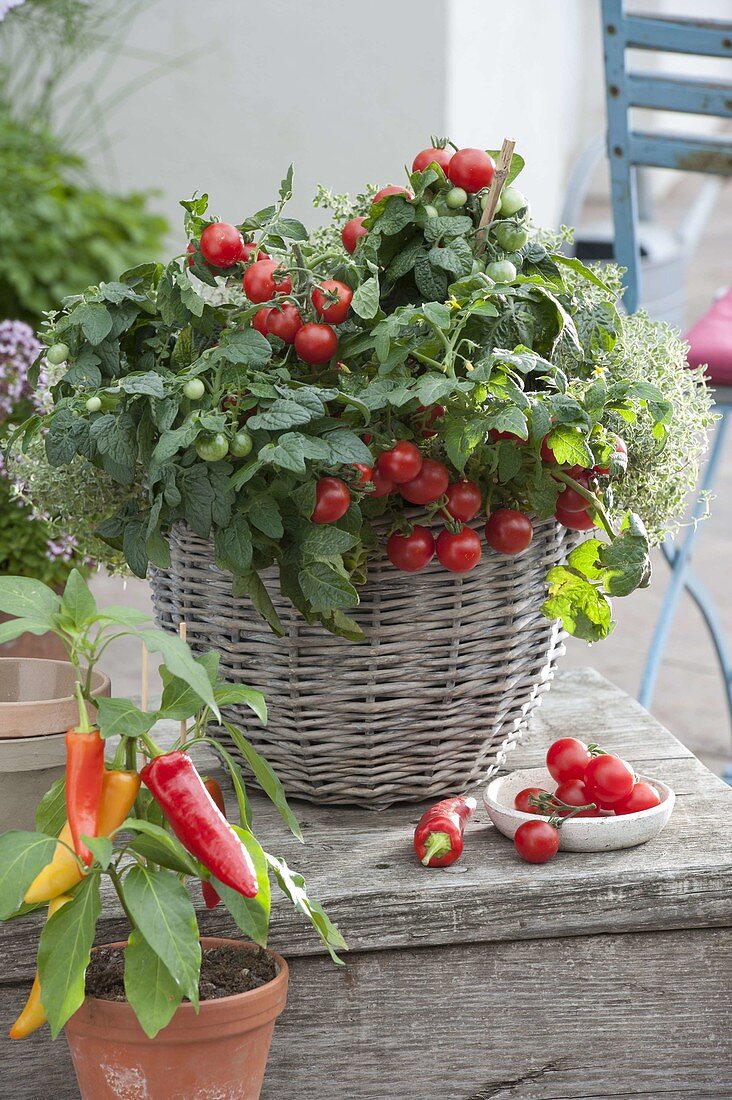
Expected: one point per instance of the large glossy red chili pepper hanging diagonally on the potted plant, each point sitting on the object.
(198, 821)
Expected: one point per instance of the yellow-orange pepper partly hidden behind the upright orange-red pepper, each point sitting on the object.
(119, 790)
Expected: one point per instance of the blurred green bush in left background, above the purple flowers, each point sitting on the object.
(60, 233)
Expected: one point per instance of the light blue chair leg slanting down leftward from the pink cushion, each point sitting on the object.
(679, 557)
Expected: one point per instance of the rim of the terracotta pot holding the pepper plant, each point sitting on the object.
(125, 1018)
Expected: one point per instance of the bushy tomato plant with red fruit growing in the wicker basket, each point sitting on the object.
(268, 420)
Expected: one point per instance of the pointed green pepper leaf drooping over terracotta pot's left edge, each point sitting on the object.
(64, 953)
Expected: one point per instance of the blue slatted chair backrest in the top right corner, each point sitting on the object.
(625, 90)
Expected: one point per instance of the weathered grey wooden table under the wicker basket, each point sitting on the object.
(595, 976)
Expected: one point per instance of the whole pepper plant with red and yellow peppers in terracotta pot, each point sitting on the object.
(144, 820)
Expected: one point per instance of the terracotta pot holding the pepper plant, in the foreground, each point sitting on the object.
(222, 1053)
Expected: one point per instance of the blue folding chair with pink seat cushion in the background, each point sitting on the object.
(628, 149)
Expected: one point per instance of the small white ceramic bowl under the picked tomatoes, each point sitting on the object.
(580, 834)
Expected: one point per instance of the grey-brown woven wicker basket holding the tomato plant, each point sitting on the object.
(428, 706)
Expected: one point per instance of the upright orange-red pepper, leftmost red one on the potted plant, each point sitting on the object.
(85, 771)
